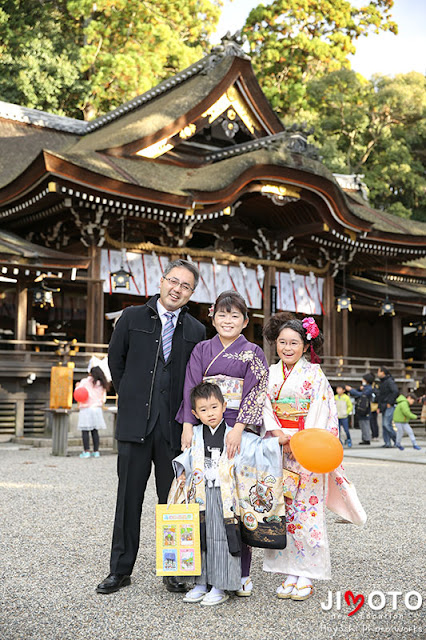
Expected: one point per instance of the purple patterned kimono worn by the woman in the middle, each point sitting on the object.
(241, 359)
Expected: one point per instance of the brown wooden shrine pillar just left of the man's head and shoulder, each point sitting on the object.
(95, 299)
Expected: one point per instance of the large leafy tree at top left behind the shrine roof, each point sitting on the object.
(84, 57)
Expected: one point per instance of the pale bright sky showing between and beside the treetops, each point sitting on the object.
(383, 53)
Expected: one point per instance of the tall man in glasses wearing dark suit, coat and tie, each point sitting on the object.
(147, 356)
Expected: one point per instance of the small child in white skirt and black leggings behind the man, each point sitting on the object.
(90, 417)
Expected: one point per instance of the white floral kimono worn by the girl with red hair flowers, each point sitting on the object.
(307, 552)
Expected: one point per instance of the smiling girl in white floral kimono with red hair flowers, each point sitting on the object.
(300, 397)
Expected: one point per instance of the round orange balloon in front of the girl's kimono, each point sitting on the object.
(317, 450)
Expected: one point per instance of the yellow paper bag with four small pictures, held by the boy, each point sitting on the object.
(177, 532)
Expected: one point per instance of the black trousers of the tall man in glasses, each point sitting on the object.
(134, 468)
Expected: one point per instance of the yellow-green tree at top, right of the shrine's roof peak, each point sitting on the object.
(293, 41)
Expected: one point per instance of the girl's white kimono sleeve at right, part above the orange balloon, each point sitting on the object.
(322, 412)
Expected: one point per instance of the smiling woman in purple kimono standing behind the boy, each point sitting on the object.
(240, 369)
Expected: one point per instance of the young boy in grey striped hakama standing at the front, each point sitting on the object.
(210, 479)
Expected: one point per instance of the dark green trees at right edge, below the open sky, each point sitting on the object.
(376, 128)
